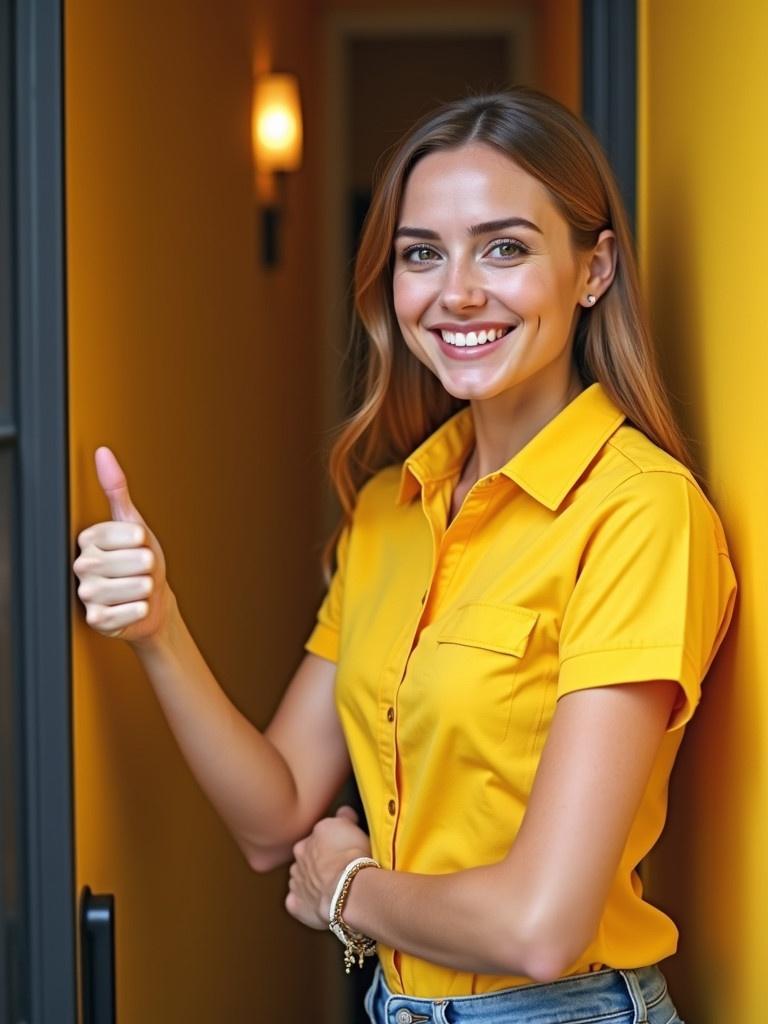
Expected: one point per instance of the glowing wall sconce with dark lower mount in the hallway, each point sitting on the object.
(278, 135)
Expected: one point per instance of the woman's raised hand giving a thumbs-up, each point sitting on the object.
(121, 566)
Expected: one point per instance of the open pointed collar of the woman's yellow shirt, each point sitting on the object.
(547, 467)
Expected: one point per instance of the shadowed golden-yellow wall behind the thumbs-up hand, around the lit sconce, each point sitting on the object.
(198, 369)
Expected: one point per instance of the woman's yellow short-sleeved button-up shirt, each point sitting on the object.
(591, 559)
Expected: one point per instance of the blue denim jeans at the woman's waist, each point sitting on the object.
(610, 996)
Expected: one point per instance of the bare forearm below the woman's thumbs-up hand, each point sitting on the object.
(242, 774)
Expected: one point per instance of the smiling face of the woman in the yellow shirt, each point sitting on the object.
(487, 285)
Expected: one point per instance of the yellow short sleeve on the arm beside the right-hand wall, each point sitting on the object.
(655, 595)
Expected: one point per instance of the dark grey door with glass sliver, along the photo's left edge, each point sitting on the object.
(37, 905)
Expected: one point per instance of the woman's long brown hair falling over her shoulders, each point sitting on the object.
(403, 402)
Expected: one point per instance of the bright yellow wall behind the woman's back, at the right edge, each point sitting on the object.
(703, 226)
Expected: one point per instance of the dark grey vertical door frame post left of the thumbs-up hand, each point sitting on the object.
(41, 583)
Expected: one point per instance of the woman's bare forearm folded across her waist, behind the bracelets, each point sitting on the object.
(471, 921)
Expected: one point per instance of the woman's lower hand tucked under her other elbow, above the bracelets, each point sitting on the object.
(321, 859)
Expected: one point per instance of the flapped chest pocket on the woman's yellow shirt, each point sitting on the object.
(483, 675)
